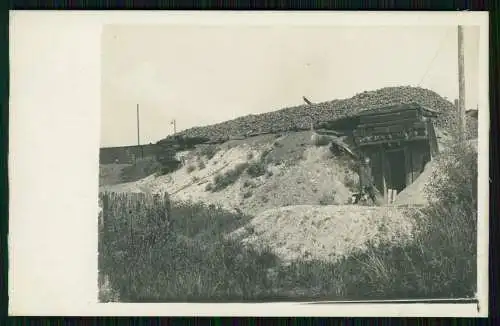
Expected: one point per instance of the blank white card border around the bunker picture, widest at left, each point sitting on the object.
(55, 100)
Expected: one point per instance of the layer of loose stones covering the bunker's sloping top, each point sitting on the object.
(300, 117)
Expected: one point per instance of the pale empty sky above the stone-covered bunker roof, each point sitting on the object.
(200, 75)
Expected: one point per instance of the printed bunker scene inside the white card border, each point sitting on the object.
(288, 163)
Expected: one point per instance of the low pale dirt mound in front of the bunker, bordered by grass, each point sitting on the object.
(324, 232)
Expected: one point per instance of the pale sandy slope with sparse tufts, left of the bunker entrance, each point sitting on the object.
(297, 173)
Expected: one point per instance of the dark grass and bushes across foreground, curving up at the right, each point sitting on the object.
(192, 261)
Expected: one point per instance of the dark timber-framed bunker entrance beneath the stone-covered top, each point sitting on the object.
(399, 140)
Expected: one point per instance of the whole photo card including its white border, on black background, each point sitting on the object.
(249, 164)
